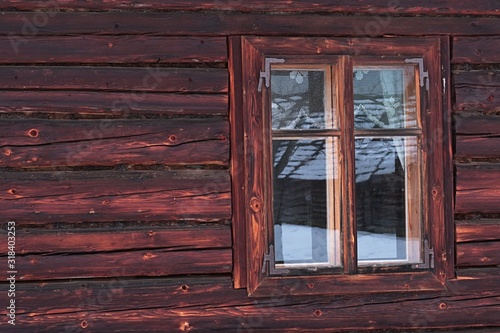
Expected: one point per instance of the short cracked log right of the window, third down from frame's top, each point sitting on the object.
(477, 136)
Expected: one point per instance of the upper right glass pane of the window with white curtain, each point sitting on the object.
(385, 97)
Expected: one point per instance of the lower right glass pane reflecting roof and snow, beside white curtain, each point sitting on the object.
(388, 199)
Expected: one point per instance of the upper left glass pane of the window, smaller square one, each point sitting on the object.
(299, 98)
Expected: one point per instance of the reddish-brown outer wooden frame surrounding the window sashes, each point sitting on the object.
(250, 132)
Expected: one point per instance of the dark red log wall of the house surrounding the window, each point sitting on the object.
(119, 153)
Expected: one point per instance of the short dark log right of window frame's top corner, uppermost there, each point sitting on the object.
(476, 50)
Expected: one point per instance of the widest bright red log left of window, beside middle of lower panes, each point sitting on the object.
(115, 196)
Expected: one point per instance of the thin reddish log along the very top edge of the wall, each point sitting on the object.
(418, 7)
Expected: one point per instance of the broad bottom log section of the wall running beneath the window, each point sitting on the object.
(202, 305)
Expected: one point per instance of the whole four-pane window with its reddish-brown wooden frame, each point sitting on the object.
(340, 188)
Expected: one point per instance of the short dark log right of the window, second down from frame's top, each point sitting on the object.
(477, 90)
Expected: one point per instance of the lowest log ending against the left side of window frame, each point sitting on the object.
(133, 263)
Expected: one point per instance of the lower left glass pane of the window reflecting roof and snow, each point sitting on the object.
(304, 227)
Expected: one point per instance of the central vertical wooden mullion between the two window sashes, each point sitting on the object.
(346, 112)
